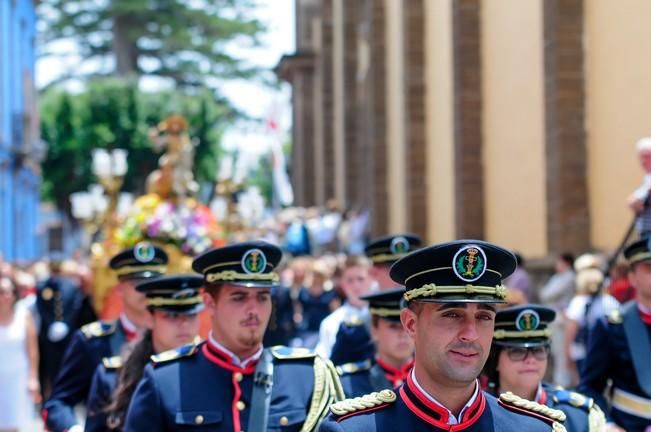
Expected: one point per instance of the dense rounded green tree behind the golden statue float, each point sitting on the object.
(113, 113)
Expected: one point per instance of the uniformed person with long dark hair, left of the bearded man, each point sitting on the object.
(174, 302)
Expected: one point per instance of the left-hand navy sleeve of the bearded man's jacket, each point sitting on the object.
(144, 413)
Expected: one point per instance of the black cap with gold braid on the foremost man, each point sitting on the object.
(458, 271)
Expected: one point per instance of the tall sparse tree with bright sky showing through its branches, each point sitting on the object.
(182, 40)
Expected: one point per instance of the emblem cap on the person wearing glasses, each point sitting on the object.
(523, 325)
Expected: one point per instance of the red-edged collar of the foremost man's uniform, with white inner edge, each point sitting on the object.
(432, 411)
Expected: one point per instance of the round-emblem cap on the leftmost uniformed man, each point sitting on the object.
(141, 261)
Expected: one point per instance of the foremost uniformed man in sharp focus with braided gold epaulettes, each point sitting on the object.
(451, 290)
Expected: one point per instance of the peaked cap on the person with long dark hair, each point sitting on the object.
(175, 294)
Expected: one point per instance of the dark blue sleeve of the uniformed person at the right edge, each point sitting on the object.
(595, 369)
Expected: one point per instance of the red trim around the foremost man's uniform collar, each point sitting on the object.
(435, 414)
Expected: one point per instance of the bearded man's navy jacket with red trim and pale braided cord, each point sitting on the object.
(196, 388)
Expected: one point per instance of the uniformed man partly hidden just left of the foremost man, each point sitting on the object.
(394, 349)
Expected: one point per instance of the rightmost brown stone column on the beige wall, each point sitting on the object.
(568, 219)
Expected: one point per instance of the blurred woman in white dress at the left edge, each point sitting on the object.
(19, 385)
